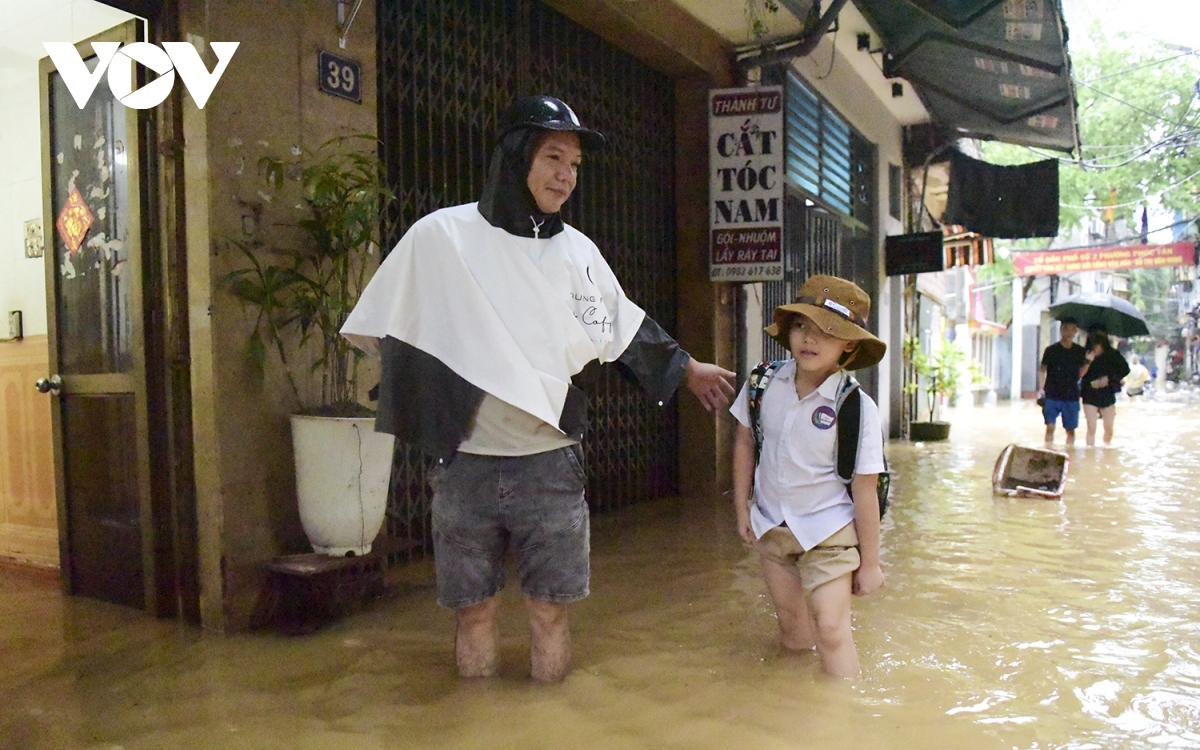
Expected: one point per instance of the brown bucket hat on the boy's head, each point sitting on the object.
(841, 309)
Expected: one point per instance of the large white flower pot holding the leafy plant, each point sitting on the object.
(343, 471)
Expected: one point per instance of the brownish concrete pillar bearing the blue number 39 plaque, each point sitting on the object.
(266, 105)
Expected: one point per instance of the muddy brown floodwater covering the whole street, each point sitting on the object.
(1005, 623)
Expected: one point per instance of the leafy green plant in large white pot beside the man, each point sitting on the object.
(302, 296)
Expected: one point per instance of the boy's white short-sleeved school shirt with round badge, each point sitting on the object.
(796, 481)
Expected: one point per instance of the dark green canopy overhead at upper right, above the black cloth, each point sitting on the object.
(988, 69)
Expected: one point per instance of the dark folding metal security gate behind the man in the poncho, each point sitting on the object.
(448, 70)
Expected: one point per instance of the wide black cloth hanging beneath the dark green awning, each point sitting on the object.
(1004, 202)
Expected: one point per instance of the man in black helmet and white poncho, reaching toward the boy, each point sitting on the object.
(482, 315)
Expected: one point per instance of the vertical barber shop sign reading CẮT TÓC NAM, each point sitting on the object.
(746, 212)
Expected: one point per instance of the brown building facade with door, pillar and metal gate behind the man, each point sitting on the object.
(158, 471)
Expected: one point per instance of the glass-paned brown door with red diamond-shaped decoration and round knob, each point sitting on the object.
(94, 291)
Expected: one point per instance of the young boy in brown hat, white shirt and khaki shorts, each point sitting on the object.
(818, 539)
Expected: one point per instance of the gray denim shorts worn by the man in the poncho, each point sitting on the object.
(484, 506)
